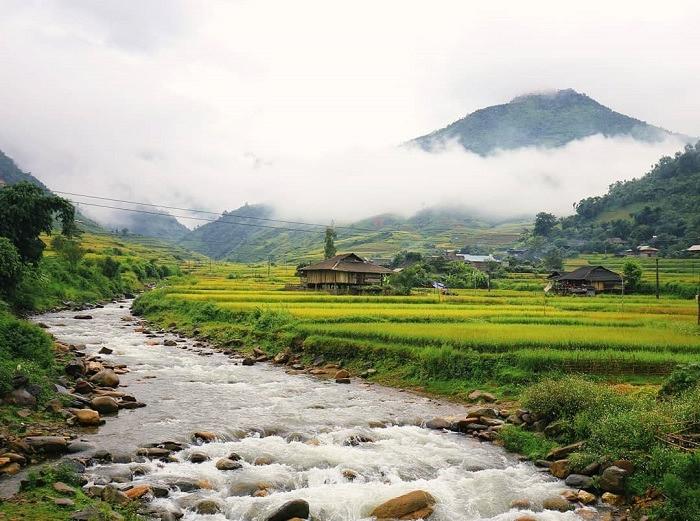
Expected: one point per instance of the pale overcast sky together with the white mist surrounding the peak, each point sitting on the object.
(212, 104)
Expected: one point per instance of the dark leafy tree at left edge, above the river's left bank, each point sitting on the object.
(26, 211)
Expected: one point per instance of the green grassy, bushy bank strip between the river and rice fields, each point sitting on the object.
(624, 426)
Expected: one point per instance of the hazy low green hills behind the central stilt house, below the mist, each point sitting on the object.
(245, 235)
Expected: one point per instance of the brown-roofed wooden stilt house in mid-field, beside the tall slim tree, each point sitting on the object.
(346, 272)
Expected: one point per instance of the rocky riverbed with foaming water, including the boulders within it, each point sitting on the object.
(223, 437)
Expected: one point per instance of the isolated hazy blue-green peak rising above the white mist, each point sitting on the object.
(544, 120)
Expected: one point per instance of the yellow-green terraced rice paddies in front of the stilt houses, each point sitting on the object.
(492, 332)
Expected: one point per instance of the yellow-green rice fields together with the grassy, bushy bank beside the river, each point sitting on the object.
(591, 366)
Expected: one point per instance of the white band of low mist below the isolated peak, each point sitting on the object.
(360, 183)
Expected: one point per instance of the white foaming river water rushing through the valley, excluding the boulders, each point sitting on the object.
(264, 412)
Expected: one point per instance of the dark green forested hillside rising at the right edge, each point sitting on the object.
(658, 209)
